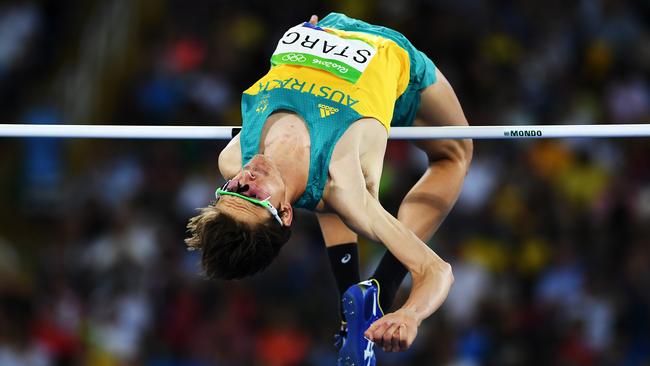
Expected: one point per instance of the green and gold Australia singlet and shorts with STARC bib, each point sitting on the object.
(332, 75)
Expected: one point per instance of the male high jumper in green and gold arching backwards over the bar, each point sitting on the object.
(313, 136)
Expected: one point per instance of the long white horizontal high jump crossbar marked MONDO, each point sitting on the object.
(399, 133)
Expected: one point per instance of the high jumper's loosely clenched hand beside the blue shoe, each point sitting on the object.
(394, 332)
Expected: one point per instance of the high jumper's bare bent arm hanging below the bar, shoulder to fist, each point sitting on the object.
(347, 194)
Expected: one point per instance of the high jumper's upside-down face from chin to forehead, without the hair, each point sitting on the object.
(258, 179)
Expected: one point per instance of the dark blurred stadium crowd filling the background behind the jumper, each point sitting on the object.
(550, 240)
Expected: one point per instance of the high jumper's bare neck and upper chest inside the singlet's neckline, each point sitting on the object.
(286, 143)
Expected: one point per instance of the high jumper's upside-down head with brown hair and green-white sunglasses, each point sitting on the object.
(243, 231)
